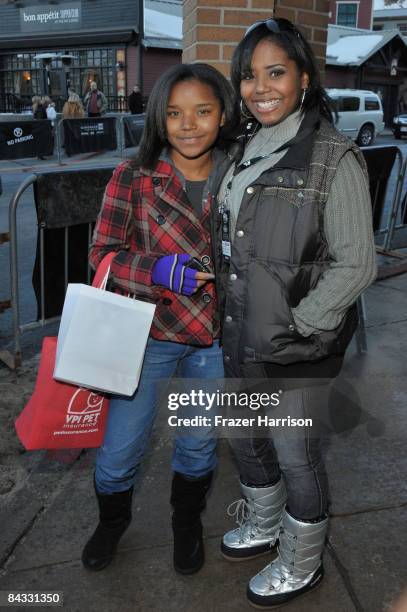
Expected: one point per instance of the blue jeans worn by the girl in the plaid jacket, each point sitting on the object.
(131, 419)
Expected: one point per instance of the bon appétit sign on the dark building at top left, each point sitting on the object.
(49, 18)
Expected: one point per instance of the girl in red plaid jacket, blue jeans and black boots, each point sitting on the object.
(156, 216)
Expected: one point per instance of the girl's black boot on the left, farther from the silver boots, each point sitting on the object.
(114, 518)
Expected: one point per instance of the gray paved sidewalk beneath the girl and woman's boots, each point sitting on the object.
(48, 510)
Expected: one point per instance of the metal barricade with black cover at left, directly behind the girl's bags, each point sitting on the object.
(14, 359)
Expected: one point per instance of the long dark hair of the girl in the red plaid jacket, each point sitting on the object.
(154, 137)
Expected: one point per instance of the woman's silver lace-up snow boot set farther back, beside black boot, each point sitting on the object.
(258, 515)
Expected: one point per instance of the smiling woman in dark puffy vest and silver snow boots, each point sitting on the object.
(295, 249)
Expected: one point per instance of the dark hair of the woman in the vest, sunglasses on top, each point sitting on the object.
(290, 39)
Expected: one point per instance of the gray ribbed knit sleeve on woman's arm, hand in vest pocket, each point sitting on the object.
(348, 230)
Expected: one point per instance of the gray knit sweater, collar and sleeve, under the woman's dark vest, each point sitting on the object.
(347, 226)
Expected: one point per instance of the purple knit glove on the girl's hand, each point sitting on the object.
(171, 272)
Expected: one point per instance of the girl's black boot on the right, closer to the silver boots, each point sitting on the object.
(188, 500)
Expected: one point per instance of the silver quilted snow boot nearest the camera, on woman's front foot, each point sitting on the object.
(298, 567)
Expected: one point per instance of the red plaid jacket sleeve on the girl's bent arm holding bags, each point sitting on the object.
(131, 269)
